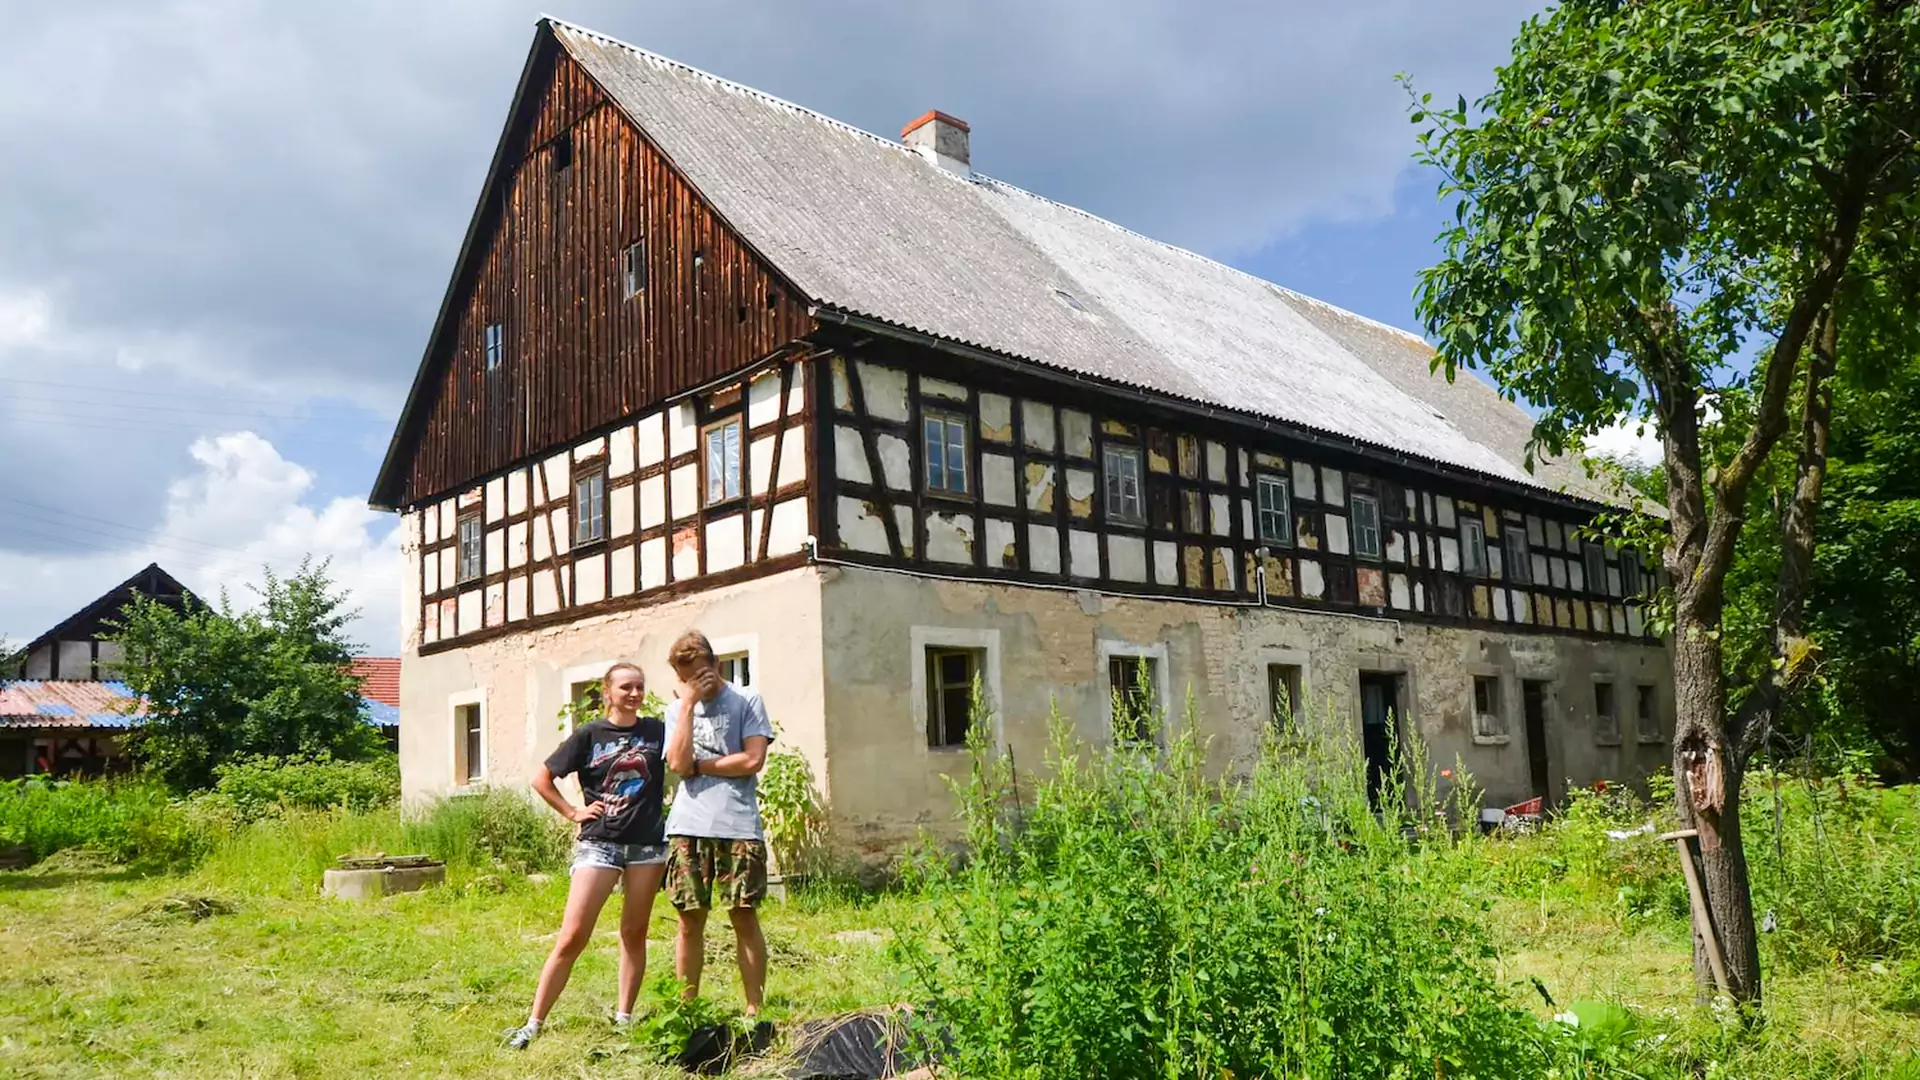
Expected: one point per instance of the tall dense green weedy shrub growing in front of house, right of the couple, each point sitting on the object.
(1138, 920)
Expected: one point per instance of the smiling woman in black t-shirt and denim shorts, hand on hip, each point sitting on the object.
(619, 839)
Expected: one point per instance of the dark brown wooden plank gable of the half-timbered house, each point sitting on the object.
(579, 185)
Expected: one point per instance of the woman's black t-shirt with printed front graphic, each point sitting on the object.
(623, 770)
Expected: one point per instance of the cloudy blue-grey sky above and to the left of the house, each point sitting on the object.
(222, 260)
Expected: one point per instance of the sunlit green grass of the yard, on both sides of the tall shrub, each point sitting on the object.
(105, 973)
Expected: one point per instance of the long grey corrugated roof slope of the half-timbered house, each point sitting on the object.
(865, 226)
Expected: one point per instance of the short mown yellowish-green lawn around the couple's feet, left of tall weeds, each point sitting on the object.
(108, 975)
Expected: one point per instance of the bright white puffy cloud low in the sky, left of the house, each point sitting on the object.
(245, 506)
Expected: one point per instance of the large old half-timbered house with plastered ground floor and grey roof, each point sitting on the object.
(884, 428)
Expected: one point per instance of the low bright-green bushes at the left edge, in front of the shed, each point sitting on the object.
(128, 822)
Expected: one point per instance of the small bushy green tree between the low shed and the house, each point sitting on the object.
(274, 681)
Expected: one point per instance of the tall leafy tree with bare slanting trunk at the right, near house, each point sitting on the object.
(1662, 214)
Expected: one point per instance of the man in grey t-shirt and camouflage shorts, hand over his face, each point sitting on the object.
(717, 741)
